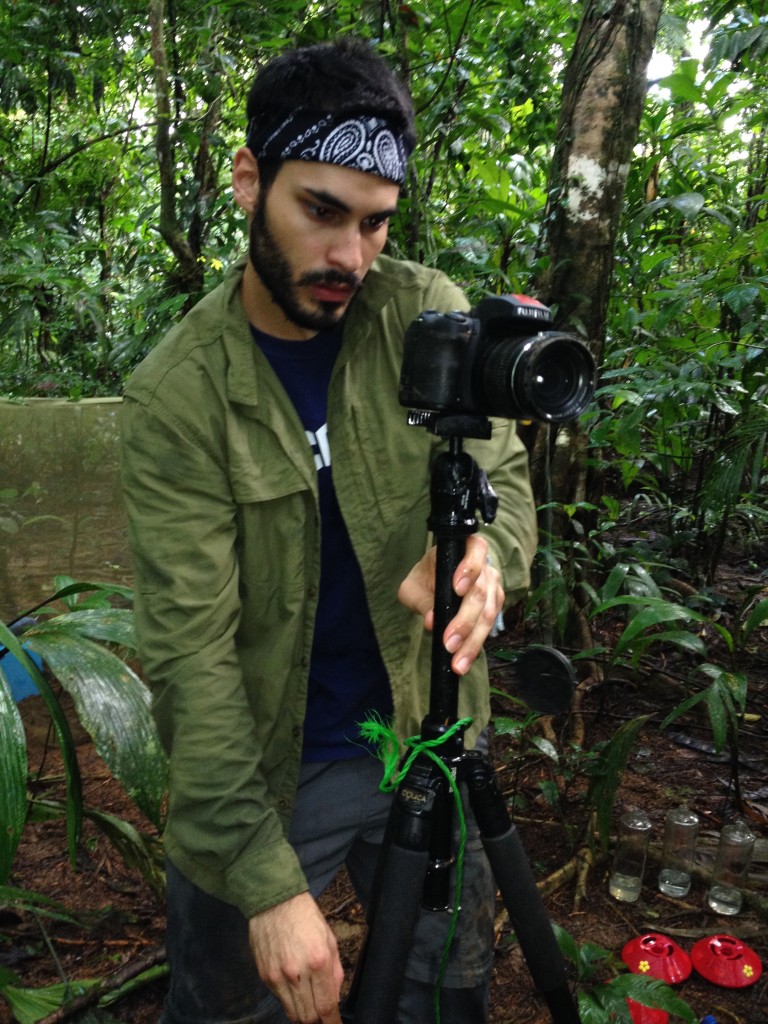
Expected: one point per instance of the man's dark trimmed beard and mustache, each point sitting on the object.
(273, 268)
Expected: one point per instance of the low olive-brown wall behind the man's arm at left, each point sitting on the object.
(61, 508)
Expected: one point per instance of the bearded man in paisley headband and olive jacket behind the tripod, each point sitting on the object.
(284, 571)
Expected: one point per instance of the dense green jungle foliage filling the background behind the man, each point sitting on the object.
(117, 129)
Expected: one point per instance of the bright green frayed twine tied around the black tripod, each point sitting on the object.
(380, 736)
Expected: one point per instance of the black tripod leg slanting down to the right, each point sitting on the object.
(520, 893)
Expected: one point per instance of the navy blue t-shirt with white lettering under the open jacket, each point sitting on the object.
(348, 678)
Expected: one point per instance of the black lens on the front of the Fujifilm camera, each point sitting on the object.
(548, 377)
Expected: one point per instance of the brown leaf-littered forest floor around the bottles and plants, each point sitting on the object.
(120, 925)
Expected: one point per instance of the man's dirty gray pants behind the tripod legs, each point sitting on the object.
(339, 820)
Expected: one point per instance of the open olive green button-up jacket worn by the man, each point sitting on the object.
(222, 496)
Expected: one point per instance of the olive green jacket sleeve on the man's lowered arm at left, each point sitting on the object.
(224, 831)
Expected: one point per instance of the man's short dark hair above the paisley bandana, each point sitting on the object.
(346, 77)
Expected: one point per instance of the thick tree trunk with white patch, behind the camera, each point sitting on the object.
(604, 96)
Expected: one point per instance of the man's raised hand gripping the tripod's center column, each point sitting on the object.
(480, 587)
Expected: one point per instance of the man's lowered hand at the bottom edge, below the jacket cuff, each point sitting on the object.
(297, 958)
